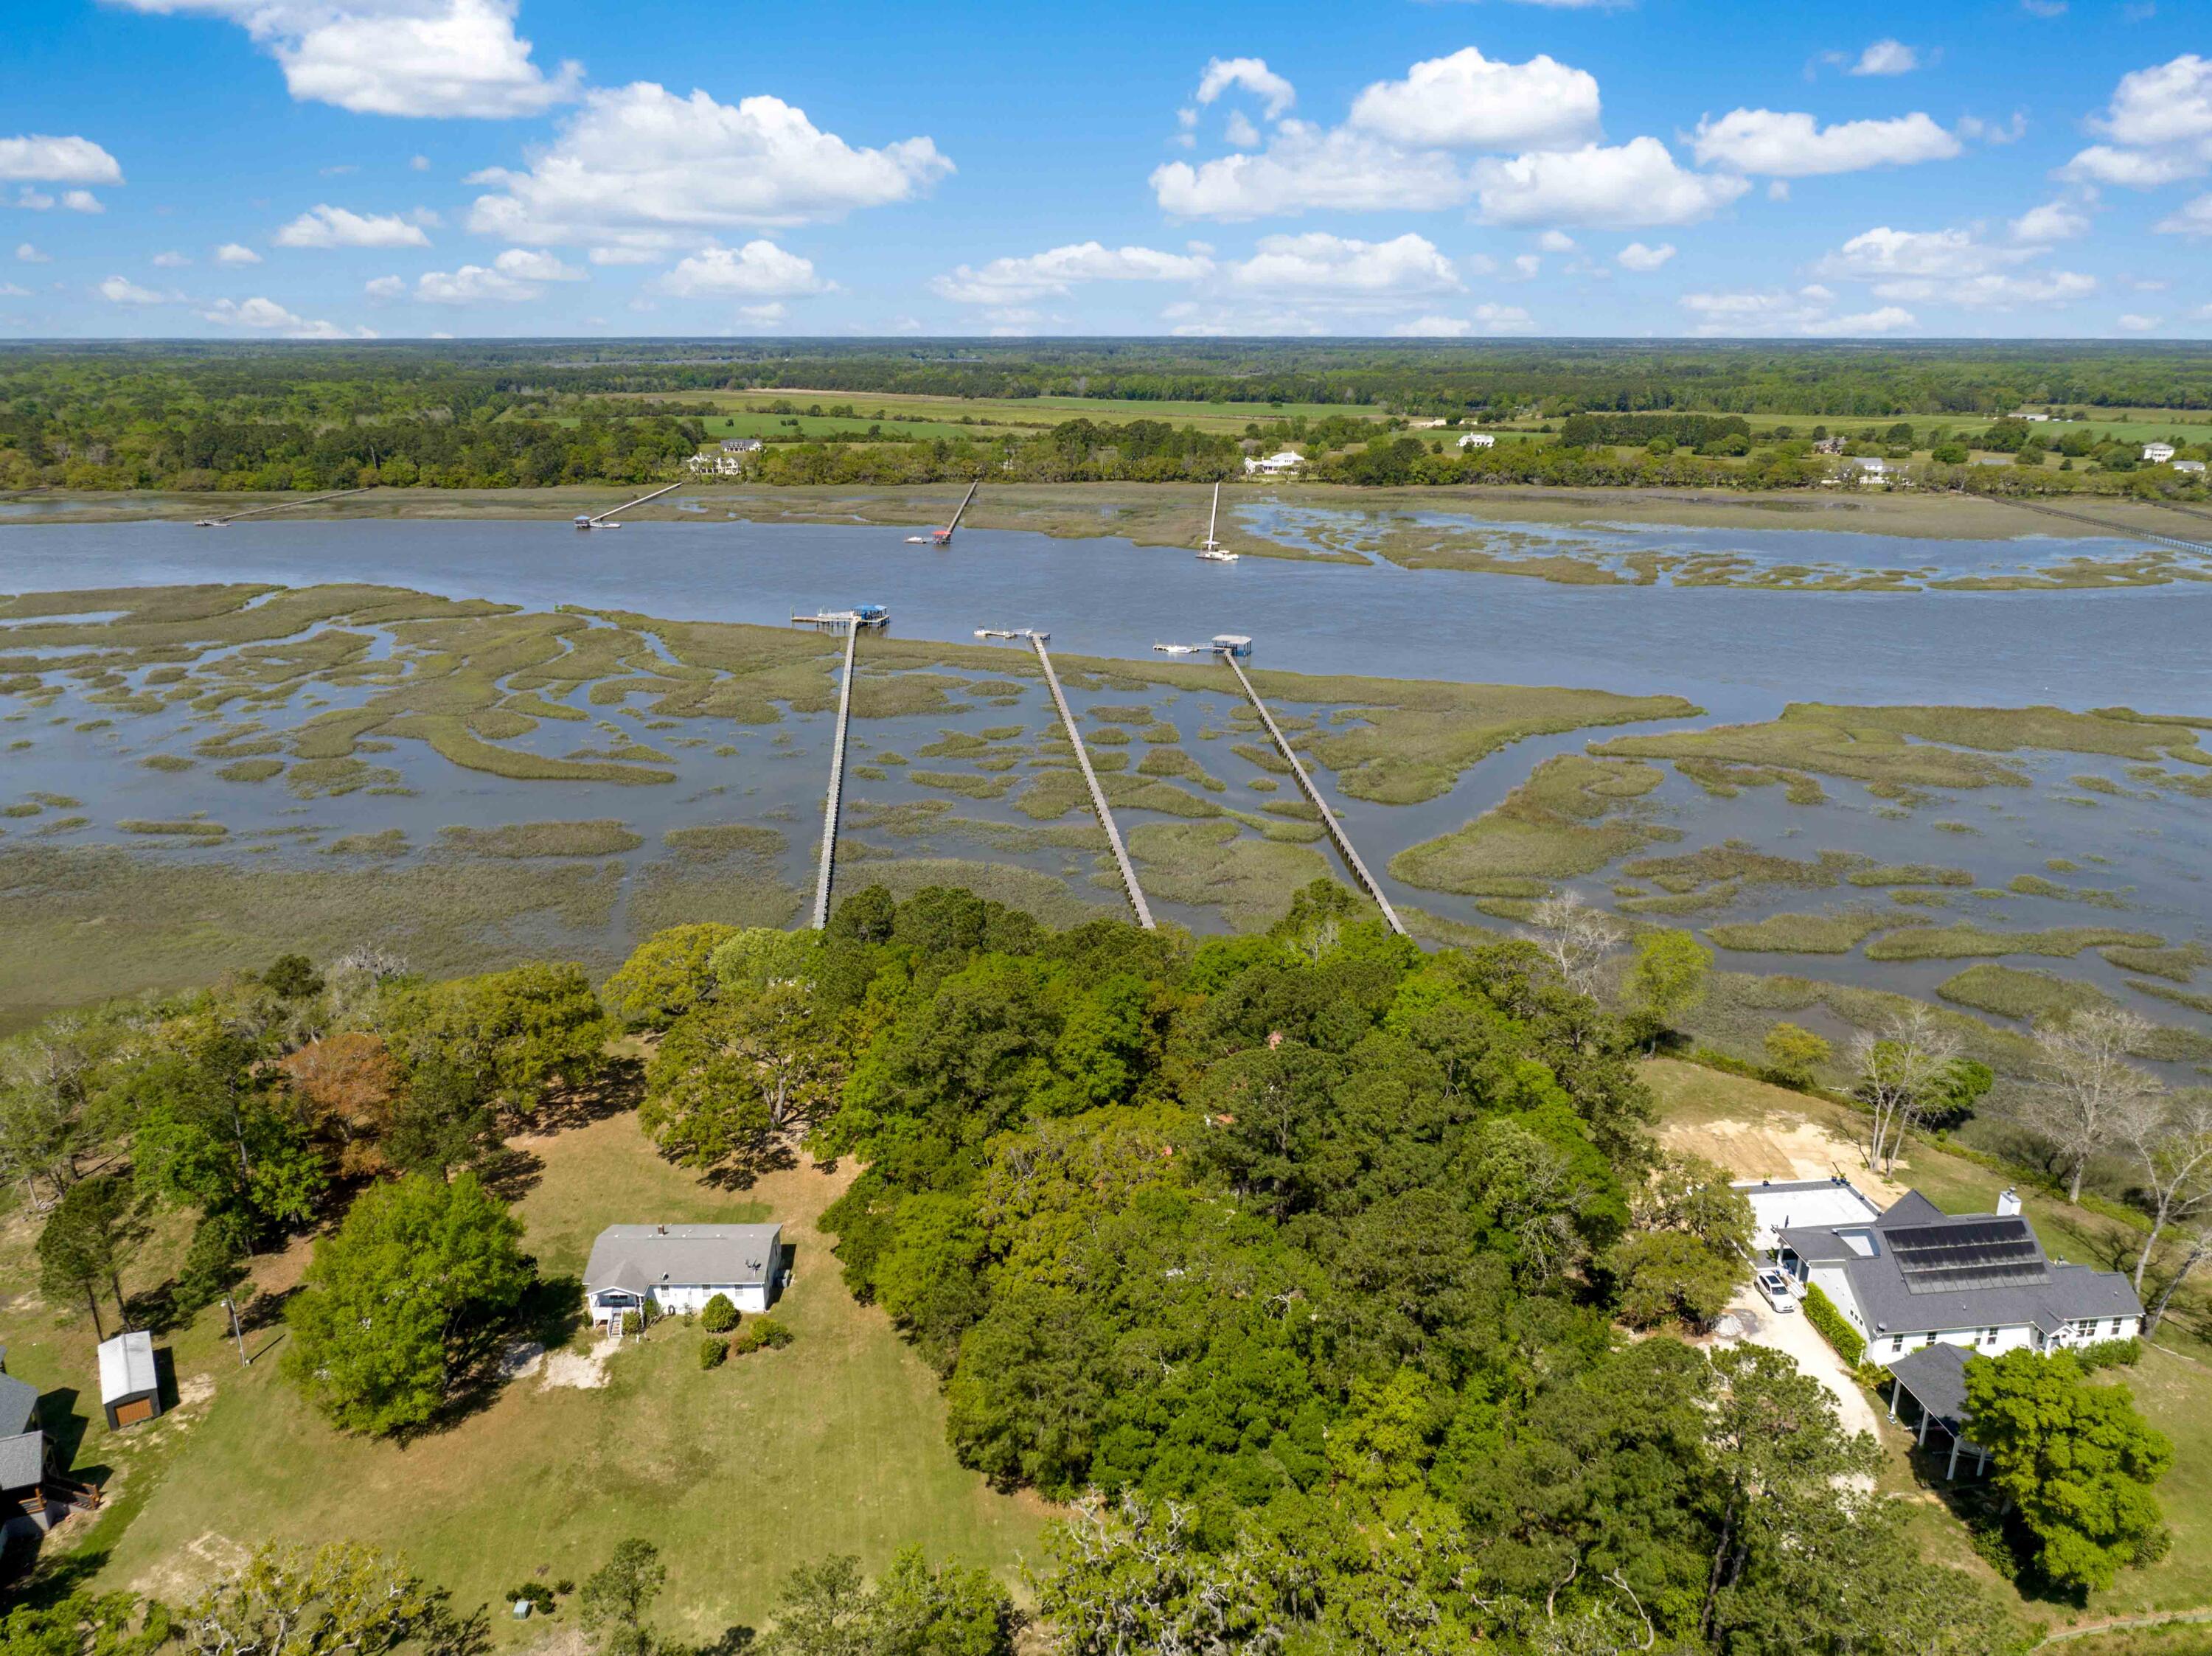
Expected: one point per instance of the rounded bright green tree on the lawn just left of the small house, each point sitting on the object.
(395, 1295)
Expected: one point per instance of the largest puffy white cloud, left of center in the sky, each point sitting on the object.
(647, 169)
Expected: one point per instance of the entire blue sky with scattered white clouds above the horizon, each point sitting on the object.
(284, 169)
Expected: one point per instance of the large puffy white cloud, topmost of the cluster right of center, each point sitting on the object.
(1470, 101)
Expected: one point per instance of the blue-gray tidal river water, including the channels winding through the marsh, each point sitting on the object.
(1742, 656)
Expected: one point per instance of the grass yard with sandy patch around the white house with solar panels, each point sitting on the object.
(1771, 1133)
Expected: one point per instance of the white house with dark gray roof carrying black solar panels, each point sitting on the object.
(1914, 1277)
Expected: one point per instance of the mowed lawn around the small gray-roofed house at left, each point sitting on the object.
(835, 1445)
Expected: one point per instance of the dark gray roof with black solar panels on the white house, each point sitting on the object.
(1919, 1270)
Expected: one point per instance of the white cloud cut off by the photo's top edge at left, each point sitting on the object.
(397, 56)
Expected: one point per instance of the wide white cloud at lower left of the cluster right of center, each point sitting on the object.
(1306, 167)
